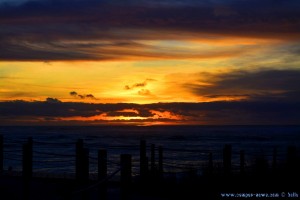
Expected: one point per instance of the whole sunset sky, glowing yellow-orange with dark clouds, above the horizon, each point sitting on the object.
(149, 62)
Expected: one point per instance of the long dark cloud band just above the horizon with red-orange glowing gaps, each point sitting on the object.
(222, 112)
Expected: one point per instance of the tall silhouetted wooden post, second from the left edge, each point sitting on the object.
(27, 168)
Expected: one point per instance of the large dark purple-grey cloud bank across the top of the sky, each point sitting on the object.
(88, 30)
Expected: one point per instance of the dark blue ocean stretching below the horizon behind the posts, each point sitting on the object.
(184, 147)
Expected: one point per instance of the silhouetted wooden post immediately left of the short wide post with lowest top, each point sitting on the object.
(102, 173)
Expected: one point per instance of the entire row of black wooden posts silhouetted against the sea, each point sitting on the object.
(82, 161)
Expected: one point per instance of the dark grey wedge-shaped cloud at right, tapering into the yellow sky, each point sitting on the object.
(254, 85)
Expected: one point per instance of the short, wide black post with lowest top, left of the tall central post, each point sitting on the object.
(125, 175)
